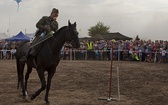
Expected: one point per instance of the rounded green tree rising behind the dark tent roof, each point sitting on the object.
(98, 29)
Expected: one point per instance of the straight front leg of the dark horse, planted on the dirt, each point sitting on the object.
(50, 75)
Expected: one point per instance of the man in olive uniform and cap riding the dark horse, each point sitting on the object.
(47, 25)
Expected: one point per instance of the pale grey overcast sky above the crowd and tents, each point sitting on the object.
(146, 18)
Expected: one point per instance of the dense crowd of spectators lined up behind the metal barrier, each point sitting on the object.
(134, 50)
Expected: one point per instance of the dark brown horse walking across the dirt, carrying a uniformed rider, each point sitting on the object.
(46, 60)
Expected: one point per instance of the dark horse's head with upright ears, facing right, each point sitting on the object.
(72, 35)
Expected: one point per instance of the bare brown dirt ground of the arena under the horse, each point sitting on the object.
(83, 82)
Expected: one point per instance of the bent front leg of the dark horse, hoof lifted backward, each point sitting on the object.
(43, 84)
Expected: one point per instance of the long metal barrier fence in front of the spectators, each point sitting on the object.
(74, 54)
